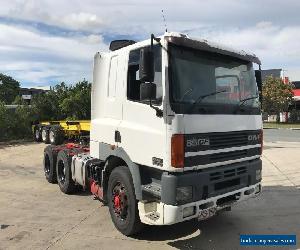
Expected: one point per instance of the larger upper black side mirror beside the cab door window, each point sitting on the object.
(146, 69)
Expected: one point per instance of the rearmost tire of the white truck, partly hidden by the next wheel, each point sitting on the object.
(49, 163)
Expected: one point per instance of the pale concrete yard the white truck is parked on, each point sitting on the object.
(36, 215)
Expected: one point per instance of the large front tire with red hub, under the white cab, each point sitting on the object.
(123, 209)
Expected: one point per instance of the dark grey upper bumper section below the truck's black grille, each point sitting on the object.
(210, 182)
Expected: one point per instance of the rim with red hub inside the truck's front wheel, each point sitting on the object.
(120, 201)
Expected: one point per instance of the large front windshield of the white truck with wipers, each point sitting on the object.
(211, 83)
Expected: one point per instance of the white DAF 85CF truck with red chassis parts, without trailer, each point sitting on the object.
(176, 132)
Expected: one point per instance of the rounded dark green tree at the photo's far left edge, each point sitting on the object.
(9, 89)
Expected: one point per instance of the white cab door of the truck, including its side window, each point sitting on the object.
(142, 132)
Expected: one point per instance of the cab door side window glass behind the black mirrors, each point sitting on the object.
(133, 81)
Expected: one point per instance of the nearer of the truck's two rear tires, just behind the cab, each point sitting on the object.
(63, 173)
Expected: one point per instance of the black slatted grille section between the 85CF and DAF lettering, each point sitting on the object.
(228, 139)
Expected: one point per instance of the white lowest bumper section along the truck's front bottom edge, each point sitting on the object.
(155, 213)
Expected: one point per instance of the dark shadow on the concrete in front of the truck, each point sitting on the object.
(276, 211)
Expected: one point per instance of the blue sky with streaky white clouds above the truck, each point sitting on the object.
(45, 42)
